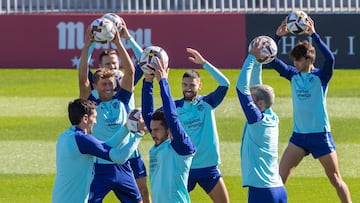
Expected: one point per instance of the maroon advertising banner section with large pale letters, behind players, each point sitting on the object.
(55, 41)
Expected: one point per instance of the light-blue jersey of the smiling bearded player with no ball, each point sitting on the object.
(198, 119)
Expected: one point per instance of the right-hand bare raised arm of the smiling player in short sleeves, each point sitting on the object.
(127, 82)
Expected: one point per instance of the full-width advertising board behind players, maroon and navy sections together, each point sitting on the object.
(55, 41)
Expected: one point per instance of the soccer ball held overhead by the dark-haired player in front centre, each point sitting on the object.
(147, 60)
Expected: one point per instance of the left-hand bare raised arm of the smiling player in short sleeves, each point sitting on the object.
(84, 83)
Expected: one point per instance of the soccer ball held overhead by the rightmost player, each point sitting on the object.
(296, 22)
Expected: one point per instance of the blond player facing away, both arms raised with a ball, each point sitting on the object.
(259, 144)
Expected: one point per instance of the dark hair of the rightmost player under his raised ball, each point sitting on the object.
(303, 49)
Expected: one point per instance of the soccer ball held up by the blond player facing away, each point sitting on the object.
(269, 51)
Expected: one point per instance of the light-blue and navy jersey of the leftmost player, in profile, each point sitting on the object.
(75, 151)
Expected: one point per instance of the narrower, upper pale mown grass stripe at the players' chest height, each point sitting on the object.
(230, 107)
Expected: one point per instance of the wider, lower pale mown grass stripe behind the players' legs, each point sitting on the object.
(38, 157)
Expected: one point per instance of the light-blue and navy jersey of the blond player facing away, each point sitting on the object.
(259, 145)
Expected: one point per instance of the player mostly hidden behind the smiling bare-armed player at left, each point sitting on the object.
(109, 59)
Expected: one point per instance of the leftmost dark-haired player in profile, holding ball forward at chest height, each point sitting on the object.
(76, 148)
